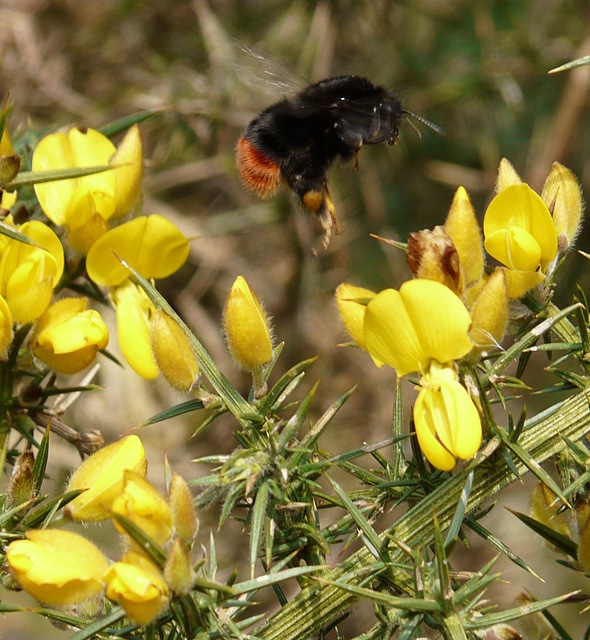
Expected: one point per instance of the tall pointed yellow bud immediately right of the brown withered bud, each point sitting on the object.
(465, 232)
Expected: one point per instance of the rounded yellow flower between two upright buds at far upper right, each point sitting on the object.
(519, 230)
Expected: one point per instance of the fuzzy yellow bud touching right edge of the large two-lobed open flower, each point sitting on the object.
(489, 315)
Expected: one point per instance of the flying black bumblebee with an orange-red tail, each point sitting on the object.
(296, 140)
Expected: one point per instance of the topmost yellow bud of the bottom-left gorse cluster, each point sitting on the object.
(102, 474)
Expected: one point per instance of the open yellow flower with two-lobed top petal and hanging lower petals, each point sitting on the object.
(401, 330)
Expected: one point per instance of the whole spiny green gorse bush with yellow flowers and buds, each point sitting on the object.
(463, 331)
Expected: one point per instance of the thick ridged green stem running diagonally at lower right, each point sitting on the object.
(317, 606)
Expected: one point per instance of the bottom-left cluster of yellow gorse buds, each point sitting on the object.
(63, 568)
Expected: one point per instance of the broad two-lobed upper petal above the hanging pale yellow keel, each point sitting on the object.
(402, 331)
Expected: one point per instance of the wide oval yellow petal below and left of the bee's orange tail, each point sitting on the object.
(152, 245)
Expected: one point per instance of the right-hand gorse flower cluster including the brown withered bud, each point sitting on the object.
(455, 308)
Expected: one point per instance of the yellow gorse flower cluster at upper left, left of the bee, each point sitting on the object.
(95, 210)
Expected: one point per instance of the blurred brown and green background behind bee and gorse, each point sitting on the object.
(477, 68)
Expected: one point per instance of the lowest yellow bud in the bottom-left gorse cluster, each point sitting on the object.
(138, 585)
